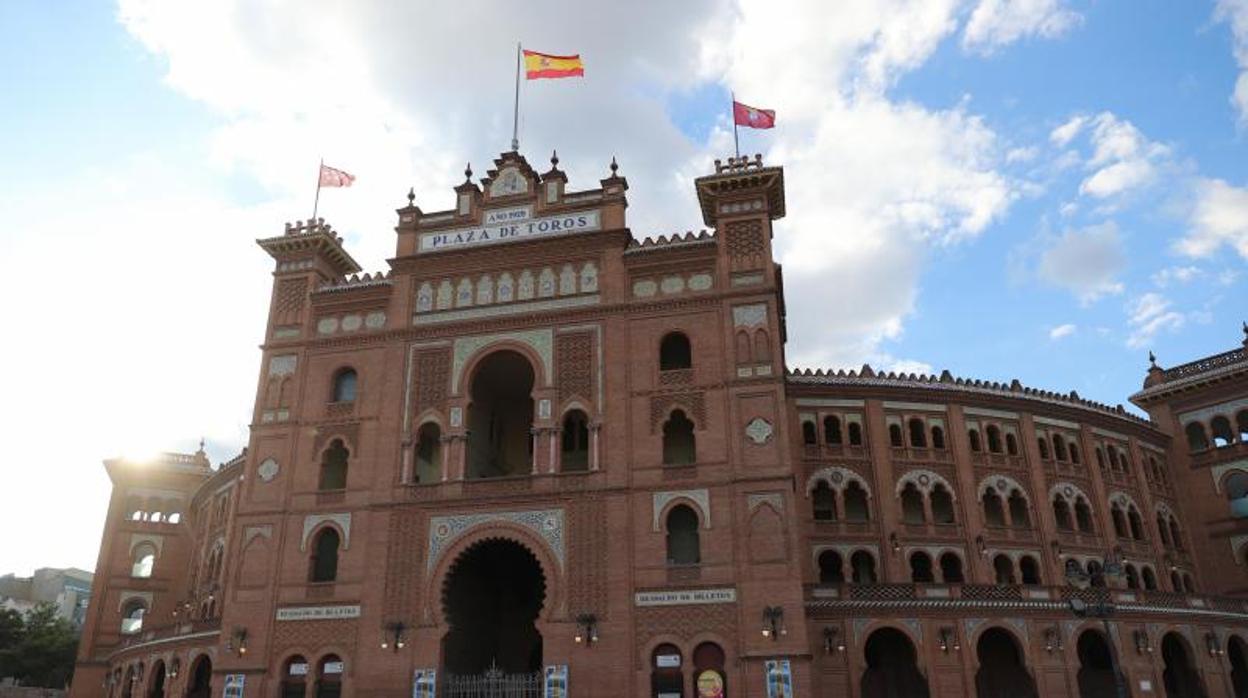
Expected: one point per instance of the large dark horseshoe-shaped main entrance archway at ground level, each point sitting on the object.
(492, 599)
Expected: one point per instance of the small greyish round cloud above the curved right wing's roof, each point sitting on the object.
(1086, 262)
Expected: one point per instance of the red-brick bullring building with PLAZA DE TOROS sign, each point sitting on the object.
(540, 458)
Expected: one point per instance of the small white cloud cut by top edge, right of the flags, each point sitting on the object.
(997, 23)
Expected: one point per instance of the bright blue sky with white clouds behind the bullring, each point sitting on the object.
(1043, 190)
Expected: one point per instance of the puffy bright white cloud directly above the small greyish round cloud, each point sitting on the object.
(1124, 159)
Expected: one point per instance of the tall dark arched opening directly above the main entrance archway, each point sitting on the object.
(501, 418)
